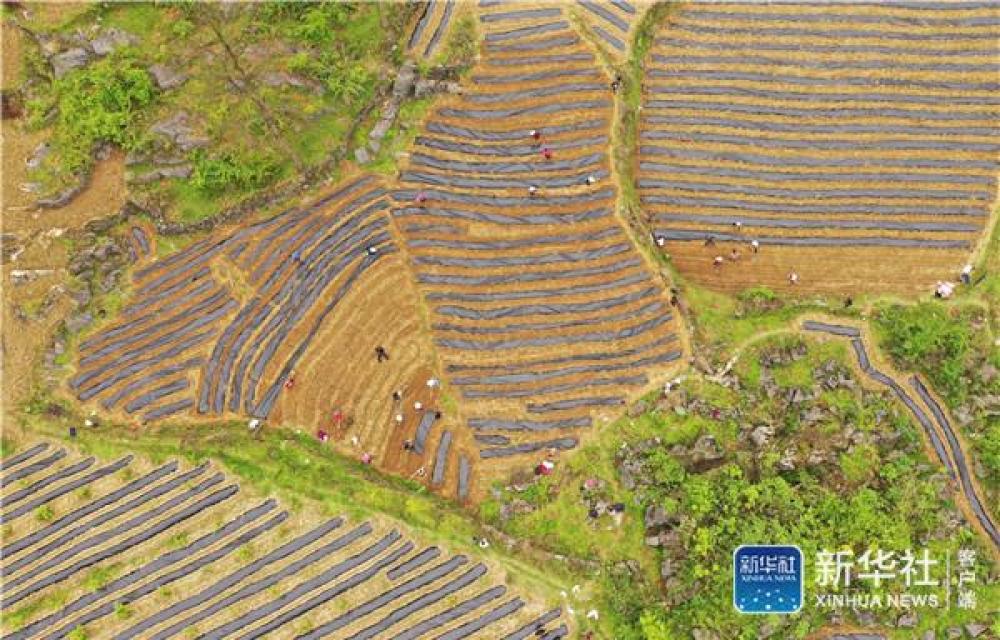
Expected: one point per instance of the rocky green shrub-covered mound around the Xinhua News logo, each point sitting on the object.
(878, 492)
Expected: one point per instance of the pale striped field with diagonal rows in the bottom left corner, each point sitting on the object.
(165, 551)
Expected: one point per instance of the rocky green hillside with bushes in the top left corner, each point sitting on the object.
(271, 92)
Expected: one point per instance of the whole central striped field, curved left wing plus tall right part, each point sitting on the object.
(544, 317)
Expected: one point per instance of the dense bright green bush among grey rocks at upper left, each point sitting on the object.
(99, 103)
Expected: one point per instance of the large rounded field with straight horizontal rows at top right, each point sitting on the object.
(855, 142)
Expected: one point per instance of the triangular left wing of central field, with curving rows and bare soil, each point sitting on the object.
(278, 320)
